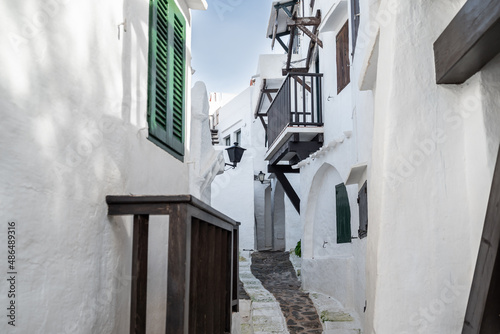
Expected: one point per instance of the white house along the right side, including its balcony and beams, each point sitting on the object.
(393, 106)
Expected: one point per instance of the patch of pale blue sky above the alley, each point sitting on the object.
(227, 41)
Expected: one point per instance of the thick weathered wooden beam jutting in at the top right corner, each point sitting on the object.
(469, 42)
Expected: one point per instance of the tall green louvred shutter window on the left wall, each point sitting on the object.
(166, 82)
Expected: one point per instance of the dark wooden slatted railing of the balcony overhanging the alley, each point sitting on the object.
(297, 103)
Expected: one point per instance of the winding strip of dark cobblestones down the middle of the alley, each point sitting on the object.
(277, 275)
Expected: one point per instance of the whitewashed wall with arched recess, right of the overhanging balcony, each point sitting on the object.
(337, 270)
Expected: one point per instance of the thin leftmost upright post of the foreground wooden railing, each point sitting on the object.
(139, 275)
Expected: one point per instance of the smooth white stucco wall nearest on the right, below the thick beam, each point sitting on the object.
(433, 155)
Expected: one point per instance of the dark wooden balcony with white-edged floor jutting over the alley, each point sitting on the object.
(295, 118)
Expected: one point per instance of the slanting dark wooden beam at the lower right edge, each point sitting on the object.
(479, 304)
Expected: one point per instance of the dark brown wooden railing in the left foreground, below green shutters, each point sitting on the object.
(202, 282)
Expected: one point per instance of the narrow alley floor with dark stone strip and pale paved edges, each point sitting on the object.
(277, 303)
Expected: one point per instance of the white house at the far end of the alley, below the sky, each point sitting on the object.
(268, 219)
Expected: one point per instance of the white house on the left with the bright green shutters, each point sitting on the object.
(96, 100)
